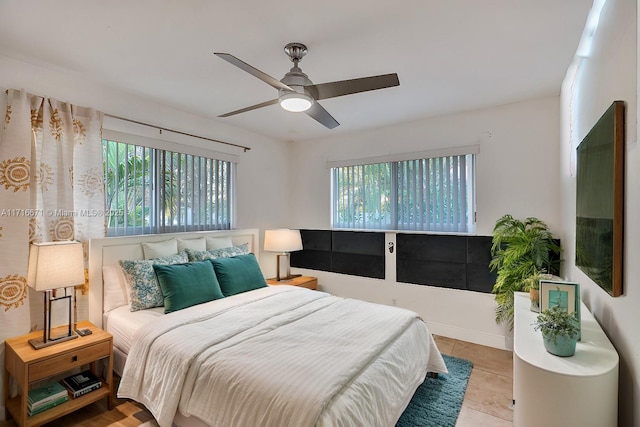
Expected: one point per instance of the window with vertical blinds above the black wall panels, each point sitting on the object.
(428, 194)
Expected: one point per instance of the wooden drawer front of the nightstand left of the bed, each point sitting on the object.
(68, 360)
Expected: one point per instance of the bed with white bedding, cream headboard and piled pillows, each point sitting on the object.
(268, 356)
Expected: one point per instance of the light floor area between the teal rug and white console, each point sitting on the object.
(490, 390)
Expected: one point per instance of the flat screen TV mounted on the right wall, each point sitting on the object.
(600, 200)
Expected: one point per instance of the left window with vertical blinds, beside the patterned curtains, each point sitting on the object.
(150, 190)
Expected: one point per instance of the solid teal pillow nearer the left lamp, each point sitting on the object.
(184, 285)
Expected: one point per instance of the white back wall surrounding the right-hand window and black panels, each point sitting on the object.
(517, 173)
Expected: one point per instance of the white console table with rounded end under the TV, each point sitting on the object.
(550, 391)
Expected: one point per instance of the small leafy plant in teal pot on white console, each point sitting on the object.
(559, 331)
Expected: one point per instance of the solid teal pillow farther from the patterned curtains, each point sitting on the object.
(238, 274)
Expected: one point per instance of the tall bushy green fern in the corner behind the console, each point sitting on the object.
(520, 250)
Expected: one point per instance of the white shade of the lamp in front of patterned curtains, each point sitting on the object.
(55, 265)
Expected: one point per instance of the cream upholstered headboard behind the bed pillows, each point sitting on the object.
(108, 250)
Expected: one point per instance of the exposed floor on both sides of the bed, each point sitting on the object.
(486, 402)
